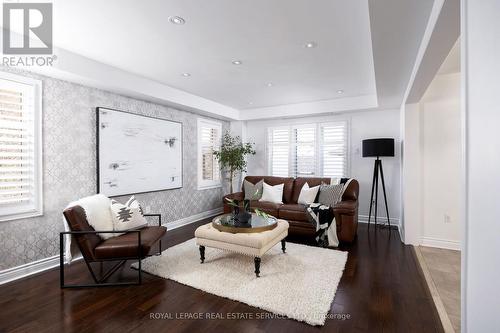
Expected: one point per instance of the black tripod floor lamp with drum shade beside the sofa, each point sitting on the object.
(378, 148)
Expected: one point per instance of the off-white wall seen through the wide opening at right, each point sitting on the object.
(432, 166)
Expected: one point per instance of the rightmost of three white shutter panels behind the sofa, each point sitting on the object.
(333, 149)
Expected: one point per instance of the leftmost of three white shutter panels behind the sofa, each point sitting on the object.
(278, 151)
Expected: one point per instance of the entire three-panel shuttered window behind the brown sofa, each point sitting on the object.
(313, 150)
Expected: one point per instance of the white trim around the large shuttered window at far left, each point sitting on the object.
(37, 146)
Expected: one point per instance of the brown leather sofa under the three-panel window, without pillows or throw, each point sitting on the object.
(346, 211)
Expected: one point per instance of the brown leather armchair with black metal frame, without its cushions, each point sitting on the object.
(132, 245)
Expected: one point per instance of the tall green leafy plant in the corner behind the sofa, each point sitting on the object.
(232, 154)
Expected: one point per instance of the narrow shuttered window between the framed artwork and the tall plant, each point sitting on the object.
(209, 140)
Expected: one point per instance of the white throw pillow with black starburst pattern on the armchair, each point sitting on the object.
(128, 216)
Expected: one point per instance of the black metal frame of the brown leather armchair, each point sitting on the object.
(100, 282)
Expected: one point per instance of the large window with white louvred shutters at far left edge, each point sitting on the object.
(20, 147)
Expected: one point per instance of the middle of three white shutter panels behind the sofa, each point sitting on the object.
(304, 151)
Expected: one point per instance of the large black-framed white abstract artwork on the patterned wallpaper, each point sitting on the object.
(137, 154)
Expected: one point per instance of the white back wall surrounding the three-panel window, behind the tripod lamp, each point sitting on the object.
(363, 125)
